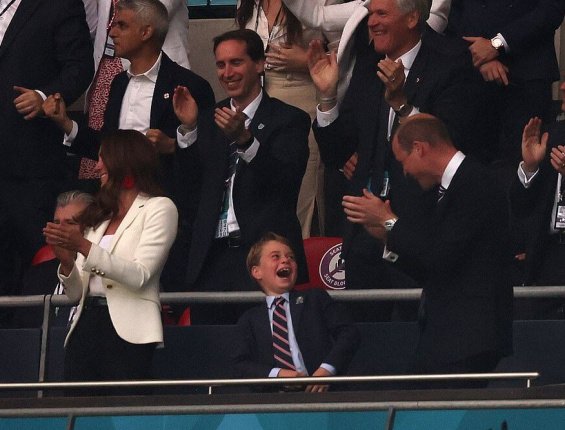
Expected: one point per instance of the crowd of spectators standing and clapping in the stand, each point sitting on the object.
(433, 121)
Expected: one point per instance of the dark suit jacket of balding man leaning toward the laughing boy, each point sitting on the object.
(461, 245)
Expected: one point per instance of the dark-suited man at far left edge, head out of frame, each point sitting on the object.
(44, 48)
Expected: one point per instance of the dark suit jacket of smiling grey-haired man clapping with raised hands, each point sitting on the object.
(438, 83)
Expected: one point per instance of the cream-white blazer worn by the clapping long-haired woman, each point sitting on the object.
(130, 269)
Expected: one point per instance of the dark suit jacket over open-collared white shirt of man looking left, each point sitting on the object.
(162, 117)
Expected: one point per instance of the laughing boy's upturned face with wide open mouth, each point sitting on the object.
(277, 269)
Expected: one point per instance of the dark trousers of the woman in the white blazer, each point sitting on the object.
(95, 352)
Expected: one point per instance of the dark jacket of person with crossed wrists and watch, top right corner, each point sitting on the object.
(528, 27)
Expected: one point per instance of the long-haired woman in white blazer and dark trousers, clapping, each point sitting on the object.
(114, 268)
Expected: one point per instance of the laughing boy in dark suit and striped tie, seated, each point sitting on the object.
(318, 337)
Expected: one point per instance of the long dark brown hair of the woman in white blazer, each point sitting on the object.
(126, 153)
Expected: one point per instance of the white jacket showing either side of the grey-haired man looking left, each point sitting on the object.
(176, 42)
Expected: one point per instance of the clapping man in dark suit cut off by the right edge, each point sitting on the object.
(537, 195)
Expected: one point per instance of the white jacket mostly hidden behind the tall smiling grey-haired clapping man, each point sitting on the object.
(345, 17)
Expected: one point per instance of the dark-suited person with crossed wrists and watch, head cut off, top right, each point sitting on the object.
(512, 43)
